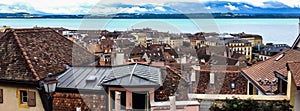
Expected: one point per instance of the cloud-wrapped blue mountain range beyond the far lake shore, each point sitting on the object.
(168, 8)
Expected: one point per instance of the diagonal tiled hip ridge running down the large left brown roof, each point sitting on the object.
(25, 56)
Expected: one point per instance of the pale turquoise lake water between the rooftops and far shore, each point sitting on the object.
(272, 30)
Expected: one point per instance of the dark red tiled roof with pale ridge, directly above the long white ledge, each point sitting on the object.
(224, 75)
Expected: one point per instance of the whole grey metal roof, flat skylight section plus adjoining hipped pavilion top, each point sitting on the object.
(92, 78)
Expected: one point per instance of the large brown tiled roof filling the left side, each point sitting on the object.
(30, 54)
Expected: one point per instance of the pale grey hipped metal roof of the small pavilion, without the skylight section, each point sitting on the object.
(134, 75)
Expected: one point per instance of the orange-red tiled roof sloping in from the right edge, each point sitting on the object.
(265, 69)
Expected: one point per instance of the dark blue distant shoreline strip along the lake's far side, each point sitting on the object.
(153, 16)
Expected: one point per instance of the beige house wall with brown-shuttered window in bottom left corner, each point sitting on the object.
(19, 98)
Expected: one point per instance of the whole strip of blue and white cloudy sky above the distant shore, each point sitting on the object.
(146, 6)
